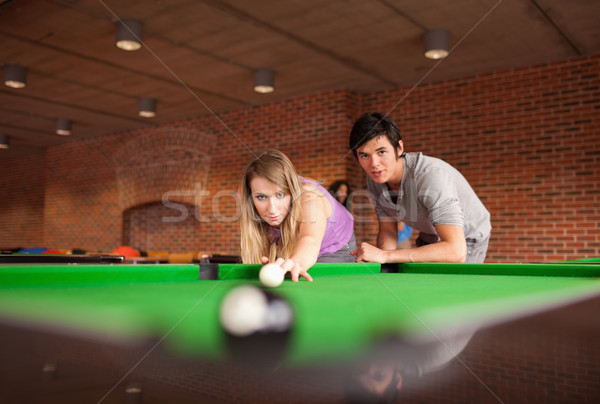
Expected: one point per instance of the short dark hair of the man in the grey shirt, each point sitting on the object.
(370, 126)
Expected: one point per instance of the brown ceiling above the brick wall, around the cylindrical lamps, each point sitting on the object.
(199, 56)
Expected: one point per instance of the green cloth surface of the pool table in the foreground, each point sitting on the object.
(347, 310)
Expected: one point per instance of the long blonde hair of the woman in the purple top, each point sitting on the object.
(275, 167)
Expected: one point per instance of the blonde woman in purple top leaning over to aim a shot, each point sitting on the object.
(295, 215)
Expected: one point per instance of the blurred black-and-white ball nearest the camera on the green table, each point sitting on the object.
(257, 325)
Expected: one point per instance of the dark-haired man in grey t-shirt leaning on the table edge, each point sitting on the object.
(424, 192)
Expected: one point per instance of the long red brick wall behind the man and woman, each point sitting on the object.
(528, 141)
